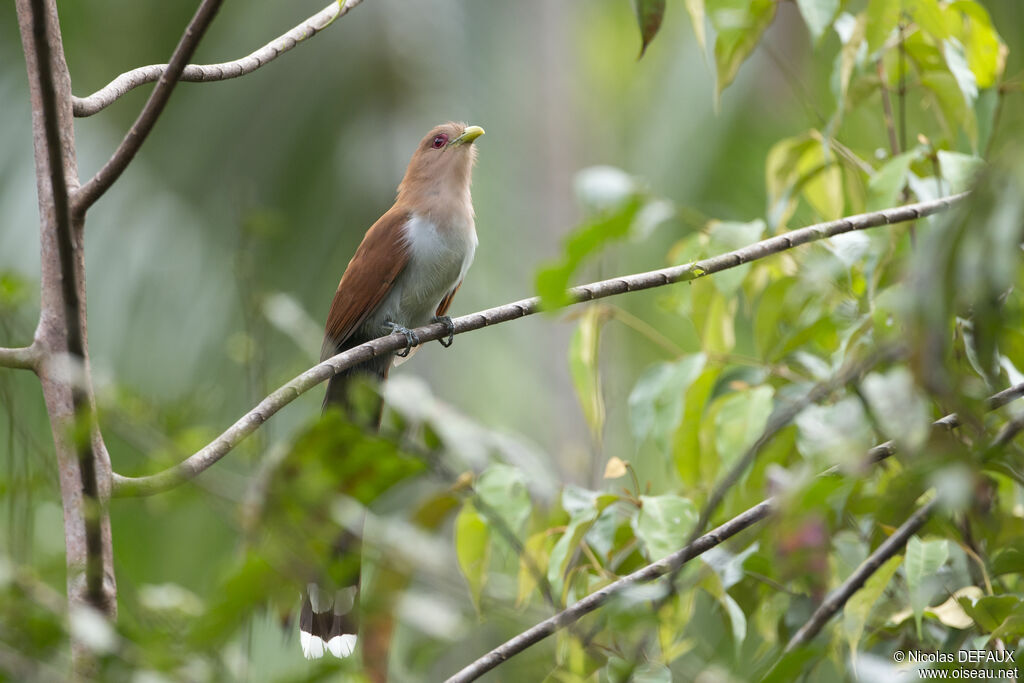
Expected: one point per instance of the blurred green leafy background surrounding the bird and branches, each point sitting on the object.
(594, 436)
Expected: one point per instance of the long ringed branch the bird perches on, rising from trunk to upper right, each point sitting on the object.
(246, 425)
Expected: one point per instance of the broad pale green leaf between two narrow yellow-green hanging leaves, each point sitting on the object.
(657, 401)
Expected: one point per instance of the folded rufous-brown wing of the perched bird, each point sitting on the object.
(370, 276)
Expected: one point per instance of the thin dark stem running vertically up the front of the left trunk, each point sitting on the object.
(83, 421)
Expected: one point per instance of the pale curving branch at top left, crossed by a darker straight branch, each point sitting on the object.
(131, 80)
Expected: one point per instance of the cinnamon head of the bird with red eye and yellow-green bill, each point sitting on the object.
(443, 162)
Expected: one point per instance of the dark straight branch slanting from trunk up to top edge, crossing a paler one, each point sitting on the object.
(88, 195)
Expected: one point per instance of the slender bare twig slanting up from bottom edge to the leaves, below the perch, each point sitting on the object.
(599, 599)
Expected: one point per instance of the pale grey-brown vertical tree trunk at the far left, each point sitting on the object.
(52, 335)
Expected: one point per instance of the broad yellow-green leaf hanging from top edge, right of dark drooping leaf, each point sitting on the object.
(740, 25)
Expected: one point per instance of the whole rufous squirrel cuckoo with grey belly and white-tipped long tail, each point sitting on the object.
(404, 275)
